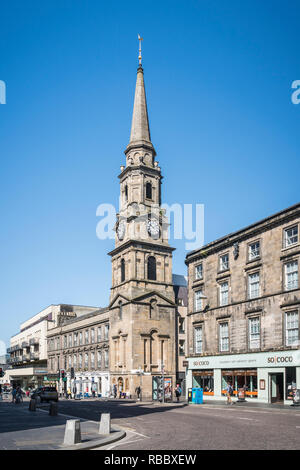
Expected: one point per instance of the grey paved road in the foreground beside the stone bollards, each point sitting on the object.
(208, 426)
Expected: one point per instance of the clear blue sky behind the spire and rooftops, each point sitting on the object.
(218, 81)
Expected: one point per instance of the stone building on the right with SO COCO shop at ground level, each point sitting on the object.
(243, 311)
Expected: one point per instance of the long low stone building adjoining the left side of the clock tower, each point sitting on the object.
(81, 343)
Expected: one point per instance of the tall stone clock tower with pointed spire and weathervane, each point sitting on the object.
(142, 304)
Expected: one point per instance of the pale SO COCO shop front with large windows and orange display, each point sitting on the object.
(268, 377)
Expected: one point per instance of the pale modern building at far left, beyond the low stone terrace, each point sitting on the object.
(28, 348)
